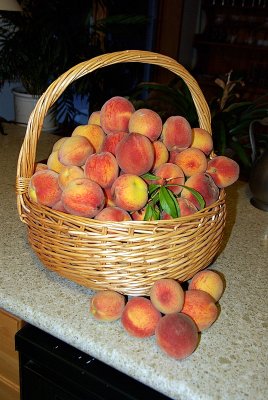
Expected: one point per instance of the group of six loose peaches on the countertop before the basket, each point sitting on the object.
(174, 316)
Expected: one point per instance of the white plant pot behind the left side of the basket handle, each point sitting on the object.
(24, 104)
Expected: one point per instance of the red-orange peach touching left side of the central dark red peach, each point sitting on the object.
(102, 168)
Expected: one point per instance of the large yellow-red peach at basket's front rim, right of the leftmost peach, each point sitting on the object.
(83, 197)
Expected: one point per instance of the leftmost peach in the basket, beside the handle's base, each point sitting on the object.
(44, 187)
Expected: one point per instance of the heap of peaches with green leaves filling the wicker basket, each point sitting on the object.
(128, 164)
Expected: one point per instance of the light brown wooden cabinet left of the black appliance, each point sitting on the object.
(9, 362)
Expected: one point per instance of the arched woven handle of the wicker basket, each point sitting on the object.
(27, 155)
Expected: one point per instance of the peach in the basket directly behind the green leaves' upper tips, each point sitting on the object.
(171, 176)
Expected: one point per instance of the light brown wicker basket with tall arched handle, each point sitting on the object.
(128, 256)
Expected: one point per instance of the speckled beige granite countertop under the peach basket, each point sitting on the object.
(231, 359)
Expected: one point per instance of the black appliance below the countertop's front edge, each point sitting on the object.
(50, 369)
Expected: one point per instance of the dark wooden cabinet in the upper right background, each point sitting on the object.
(233, 36)
